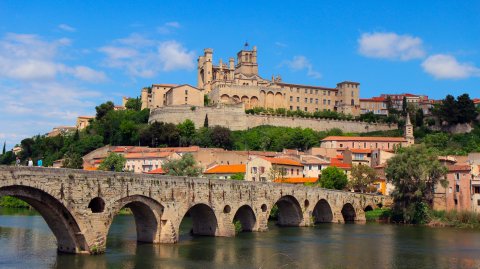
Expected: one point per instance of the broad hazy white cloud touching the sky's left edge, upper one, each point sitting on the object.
(29, 58)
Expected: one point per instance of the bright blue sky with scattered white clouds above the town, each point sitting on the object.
(59, 59)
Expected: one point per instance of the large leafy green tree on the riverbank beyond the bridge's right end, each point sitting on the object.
(415, 172)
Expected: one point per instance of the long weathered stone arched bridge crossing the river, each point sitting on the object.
(79, 206)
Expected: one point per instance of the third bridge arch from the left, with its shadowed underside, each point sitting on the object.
(204, 220)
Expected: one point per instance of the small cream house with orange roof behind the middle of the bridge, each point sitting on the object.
(269, 169)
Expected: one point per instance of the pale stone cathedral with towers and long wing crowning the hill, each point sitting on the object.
(238, 81)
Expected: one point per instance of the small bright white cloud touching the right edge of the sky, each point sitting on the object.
(443, 66)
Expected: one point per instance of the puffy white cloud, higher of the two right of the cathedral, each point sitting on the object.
(390, 46)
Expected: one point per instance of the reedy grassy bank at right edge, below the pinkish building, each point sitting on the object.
(459, 219)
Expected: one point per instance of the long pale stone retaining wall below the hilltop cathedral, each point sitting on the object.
(235, 118)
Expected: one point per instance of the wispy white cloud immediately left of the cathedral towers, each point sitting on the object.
(142, 57)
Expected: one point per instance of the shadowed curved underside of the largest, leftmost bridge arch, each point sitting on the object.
(59, 219)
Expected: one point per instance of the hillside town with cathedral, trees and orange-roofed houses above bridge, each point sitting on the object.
(300, 130)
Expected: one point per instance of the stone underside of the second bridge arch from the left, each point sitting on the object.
(147, 213)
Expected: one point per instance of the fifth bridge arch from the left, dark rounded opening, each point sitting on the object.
(289, 211)
